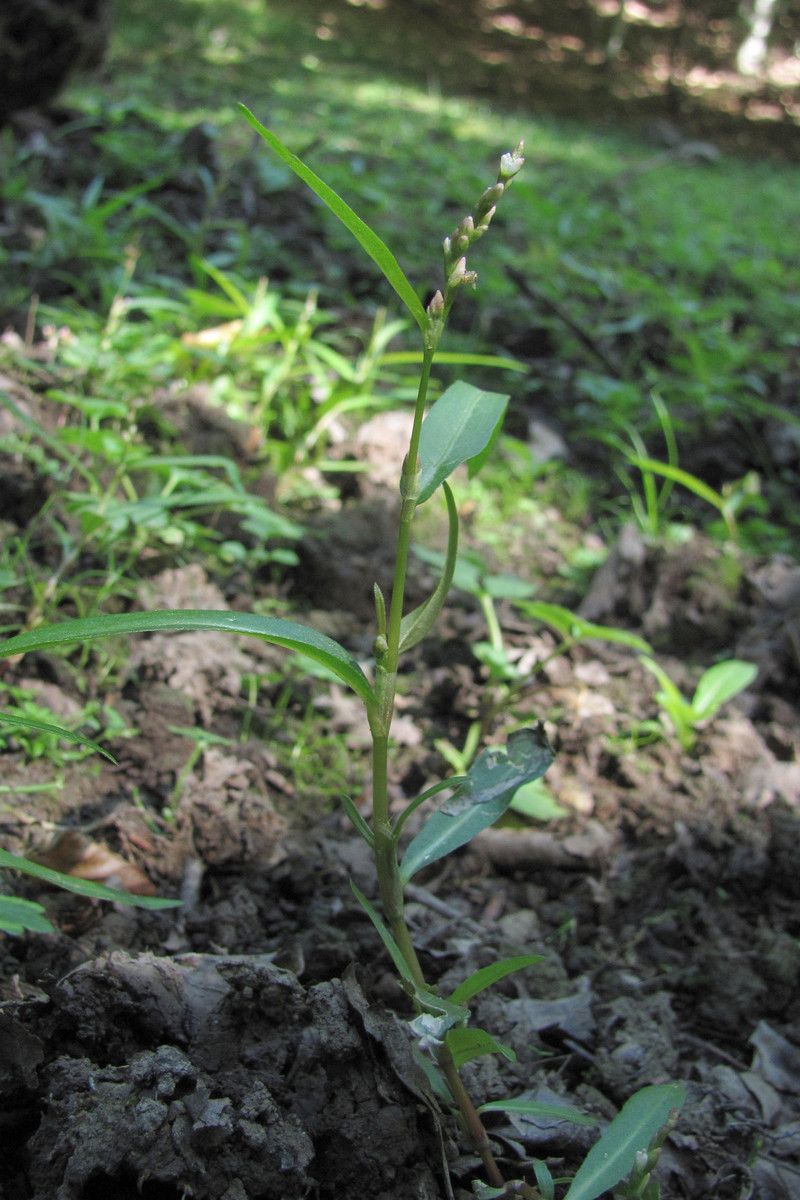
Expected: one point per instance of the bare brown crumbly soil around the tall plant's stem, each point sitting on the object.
(254, 1043)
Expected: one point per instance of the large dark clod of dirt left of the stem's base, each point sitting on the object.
(220, 1076)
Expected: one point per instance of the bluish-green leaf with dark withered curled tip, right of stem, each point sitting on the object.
(482, 800)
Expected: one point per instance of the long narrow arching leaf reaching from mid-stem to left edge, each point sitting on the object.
(272, 629)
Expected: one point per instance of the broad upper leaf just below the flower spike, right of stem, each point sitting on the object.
(459, 428)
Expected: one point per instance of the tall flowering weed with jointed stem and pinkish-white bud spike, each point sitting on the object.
(459, 429)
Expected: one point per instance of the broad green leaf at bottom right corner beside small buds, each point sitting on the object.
(611, 1160)
